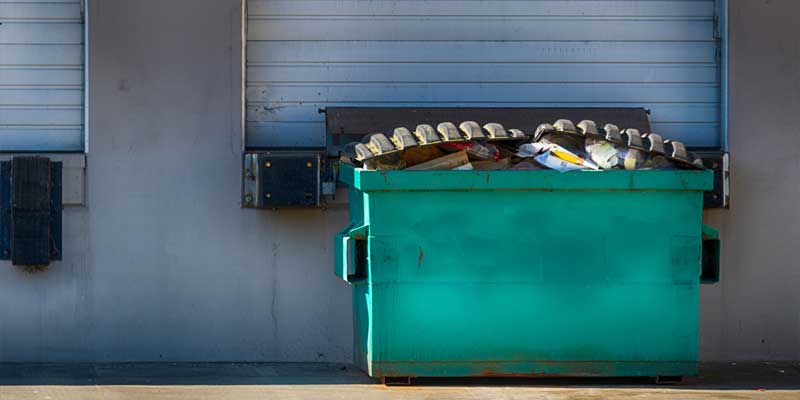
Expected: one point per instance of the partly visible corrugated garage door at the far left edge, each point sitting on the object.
(41, 75)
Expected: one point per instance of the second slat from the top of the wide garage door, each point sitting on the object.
(460, 29)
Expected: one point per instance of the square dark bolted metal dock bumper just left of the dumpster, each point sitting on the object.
(282, 179)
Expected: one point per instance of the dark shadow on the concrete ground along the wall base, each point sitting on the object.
(731, 376)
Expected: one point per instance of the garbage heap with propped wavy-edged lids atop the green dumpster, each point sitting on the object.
(562, 146)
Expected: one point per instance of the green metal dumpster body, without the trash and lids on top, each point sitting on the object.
(525, 273)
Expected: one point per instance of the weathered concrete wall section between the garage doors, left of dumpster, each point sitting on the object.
(162, 264)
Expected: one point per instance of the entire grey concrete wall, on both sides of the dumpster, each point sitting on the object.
(162, 264)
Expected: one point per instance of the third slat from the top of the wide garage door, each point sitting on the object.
(264, 52)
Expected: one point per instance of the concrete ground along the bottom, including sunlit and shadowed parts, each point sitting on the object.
(327, 381)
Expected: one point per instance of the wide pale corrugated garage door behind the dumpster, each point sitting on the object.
(306, 54)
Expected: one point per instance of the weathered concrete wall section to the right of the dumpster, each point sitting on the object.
(754, 314)
